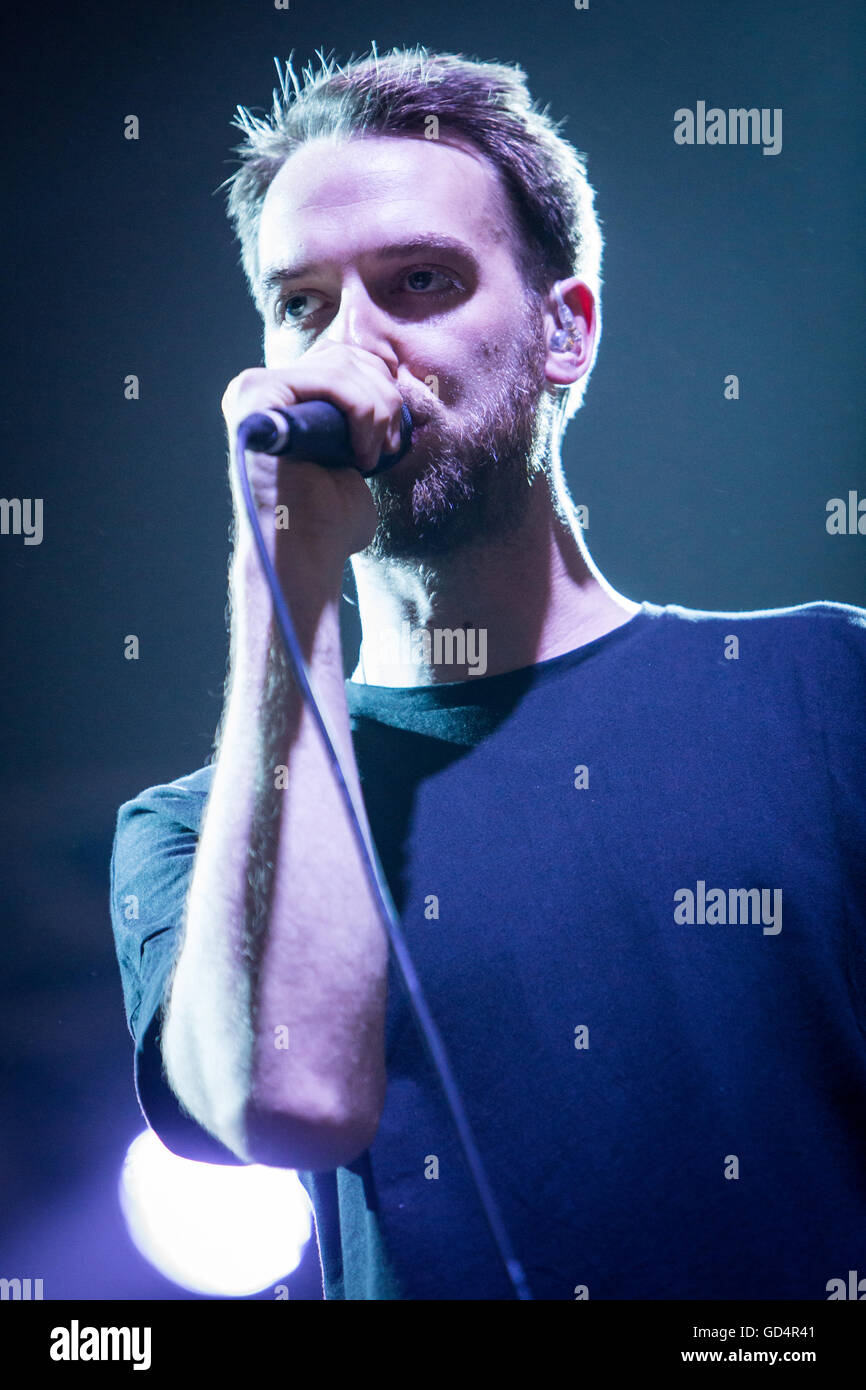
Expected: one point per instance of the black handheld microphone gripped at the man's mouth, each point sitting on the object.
(315, 432)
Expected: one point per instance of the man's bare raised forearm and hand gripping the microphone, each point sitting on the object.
(275, 1032)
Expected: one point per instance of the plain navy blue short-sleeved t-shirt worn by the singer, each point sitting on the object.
(633, 883)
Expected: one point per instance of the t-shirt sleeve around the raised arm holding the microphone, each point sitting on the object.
(152, 862)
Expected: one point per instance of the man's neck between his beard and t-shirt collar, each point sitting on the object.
(496, 605)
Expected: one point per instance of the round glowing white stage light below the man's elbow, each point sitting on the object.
(211, 1228)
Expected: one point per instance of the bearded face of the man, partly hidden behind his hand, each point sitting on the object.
(454, 316)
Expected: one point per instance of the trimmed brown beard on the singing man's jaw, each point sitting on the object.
(476, 473)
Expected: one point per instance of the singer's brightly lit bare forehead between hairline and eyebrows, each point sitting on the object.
(429, 186)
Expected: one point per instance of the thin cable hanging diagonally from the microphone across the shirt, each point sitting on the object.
(380, 889)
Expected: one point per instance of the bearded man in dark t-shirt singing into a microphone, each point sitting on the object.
(626, 842)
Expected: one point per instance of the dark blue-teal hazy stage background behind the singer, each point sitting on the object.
(120, 261)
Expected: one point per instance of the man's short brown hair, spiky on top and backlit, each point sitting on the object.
(489, 105)
